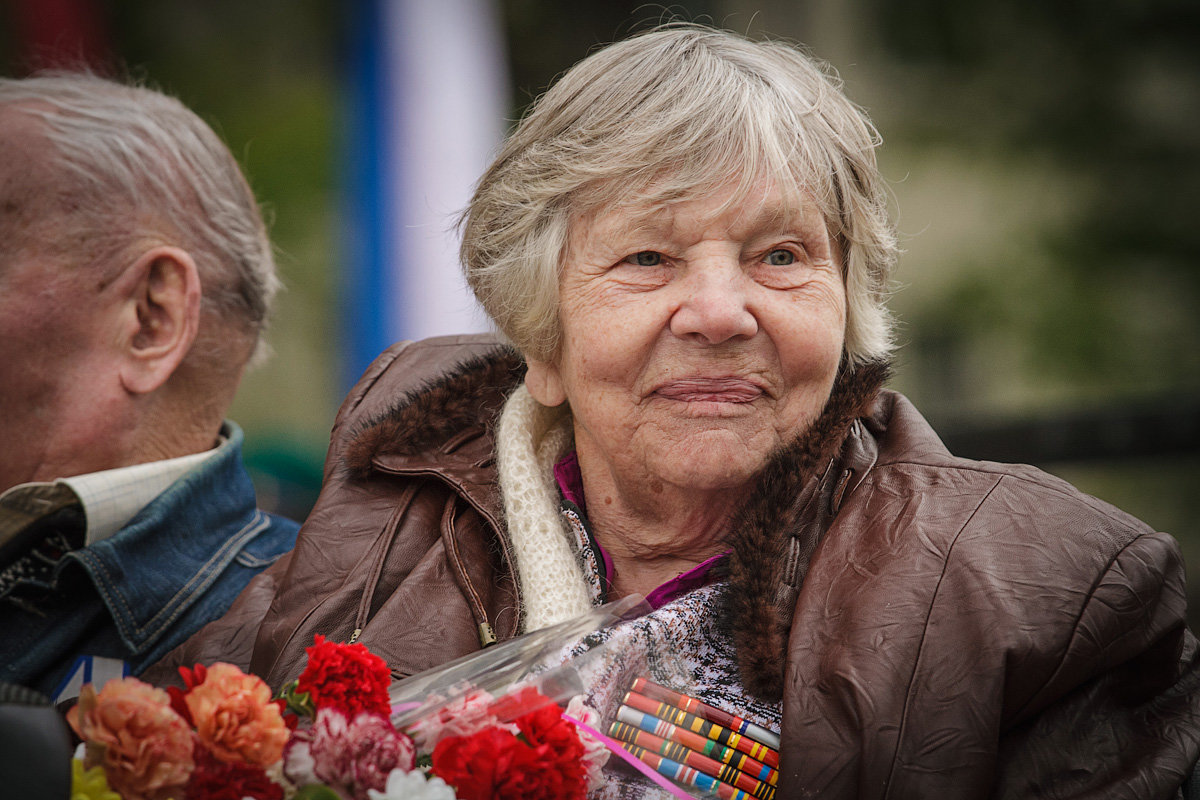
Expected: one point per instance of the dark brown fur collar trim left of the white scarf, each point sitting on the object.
(467, 396)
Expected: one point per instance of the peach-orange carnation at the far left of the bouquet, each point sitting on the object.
(134, 733)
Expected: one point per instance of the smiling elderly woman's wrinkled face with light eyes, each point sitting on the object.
(695, 341)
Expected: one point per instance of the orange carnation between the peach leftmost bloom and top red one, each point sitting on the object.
(236, 718)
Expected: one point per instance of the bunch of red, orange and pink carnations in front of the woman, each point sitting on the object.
(331, 736)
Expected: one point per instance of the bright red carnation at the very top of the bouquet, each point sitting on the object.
(346, 677)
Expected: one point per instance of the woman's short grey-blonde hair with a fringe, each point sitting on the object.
(668, 116)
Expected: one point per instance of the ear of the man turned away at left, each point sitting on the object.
(160, 317)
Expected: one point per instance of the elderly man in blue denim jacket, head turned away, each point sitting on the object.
(136, 280)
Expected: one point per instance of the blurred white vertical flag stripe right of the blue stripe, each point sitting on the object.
(449, 82)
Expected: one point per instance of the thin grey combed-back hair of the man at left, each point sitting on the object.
(139, 166)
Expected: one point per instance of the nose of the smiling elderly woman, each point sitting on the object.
(715, 306)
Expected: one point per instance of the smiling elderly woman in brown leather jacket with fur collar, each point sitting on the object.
(687, 244)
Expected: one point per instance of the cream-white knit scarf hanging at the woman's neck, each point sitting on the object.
(530, 441)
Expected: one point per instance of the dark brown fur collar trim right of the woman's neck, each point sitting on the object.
(759, 604)
